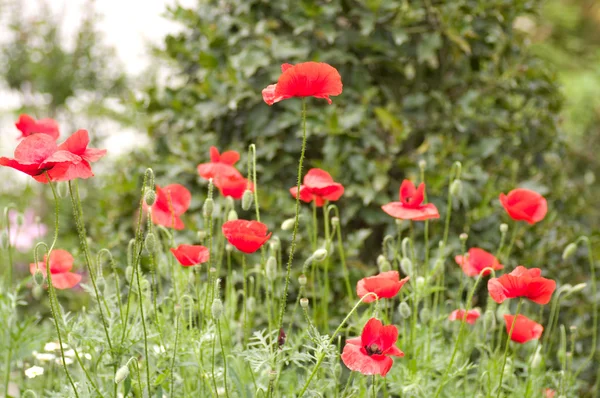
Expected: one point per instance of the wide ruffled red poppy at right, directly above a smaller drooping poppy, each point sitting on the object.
(522, 282)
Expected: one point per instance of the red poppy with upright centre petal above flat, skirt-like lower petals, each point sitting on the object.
(411, 205)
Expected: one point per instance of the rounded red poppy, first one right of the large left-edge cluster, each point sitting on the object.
(171, 202)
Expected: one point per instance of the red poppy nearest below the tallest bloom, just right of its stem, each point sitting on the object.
(318, 186)
